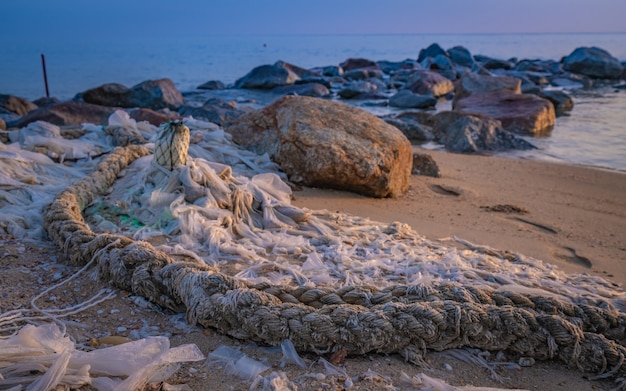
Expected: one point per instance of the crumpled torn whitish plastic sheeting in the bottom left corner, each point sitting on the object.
(122, 367)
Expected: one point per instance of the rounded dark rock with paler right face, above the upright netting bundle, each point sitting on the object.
(156, 95)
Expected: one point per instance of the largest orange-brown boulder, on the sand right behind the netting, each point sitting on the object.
(329, 144)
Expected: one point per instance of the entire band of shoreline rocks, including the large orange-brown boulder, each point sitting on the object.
(493, 100)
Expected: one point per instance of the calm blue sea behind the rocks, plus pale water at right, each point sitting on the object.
(594, 134)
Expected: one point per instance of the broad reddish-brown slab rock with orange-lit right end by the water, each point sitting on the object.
(525, 114)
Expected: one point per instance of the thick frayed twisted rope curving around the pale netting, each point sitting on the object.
(403, 319)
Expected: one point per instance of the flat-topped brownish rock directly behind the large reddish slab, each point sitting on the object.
(472, 83)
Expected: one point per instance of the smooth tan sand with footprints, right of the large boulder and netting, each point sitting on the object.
(574, 216)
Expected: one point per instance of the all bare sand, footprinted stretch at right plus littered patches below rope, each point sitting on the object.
(574, 217)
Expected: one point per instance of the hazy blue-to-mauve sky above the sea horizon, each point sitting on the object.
(58, 18)
